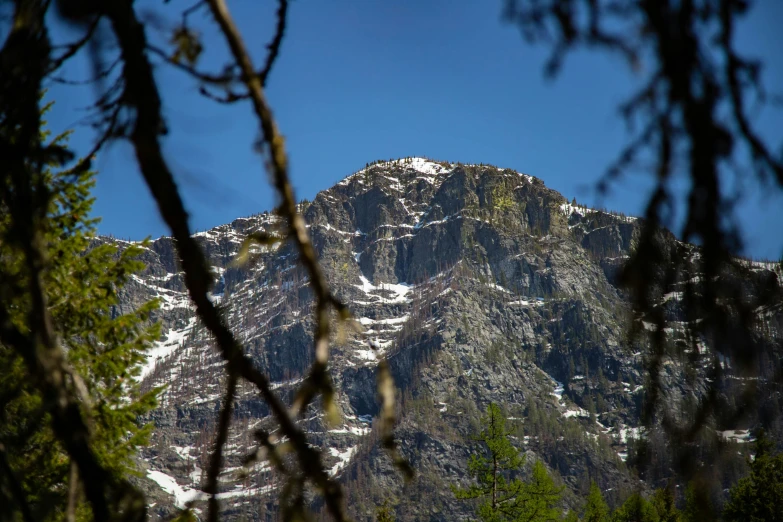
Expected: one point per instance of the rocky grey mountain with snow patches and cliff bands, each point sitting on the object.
(479, 285)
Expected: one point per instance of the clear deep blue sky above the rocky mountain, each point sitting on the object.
(359, 80)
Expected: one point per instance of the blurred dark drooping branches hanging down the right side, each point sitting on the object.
(690, 116)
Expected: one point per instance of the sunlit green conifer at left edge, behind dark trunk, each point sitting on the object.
(105, 350)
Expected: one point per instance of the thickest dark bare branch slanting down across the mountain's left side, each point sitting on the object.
(142, 95)
